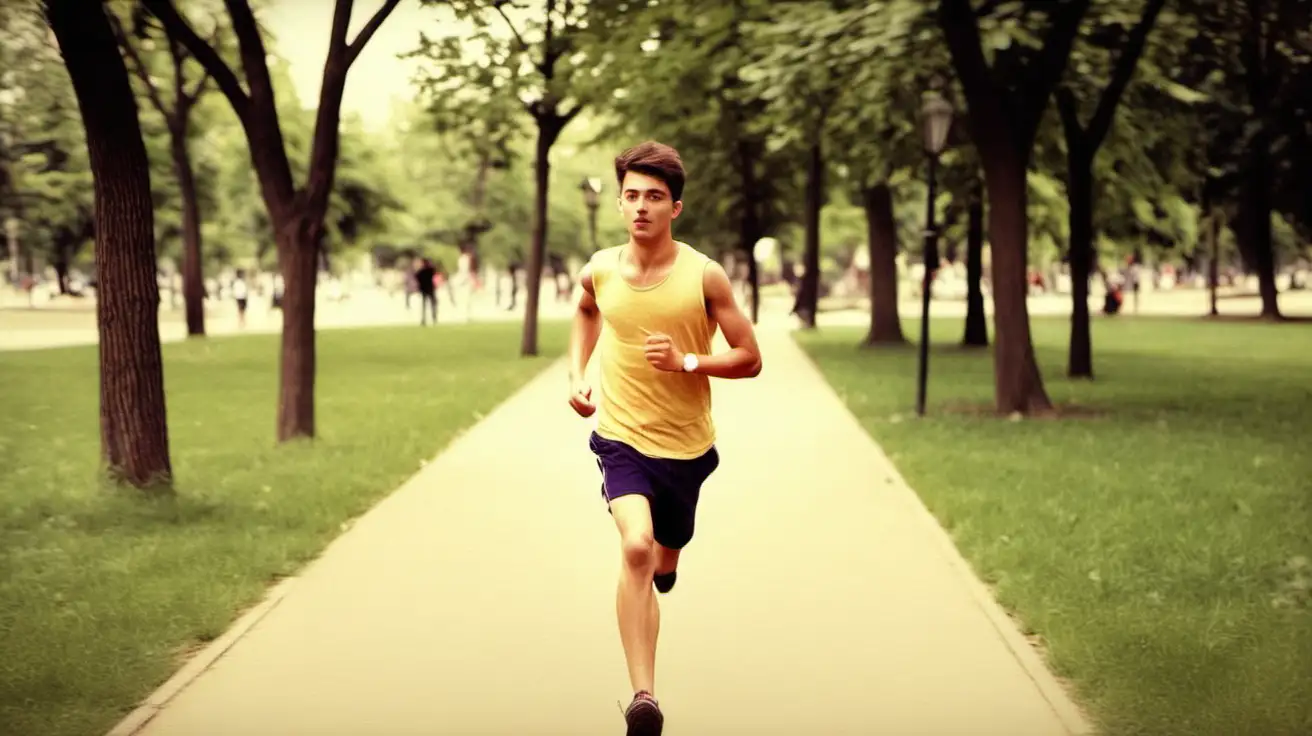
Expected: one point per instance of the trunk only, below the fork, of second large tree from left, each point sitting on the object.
(298, 260)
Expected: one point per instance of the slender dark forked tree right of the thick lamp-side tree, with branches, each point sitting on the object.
(1083, 144)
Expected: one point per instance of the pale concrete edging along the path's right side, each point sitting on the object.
(1053, 691)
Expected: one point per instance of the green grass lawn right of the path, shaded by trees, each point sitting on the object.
(1160, 544)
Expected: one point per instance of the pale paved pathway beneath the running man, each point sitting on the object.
(818, 598)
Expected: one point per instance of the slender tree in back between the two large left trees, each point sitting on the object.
(175, 107)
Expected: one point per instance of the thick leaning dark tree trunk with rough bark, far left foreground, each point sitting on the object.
(133, 419)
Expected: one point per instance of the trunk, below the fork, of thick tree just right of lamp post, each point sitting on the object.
(1019, 388)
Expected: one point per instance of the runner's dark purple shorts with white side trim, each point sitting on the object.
(672, 487)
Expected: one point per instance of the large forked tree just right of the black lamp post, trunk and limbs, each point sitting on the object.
(1007, 100)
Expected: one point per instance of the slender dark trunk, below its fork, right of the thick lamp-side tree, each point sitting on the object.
(1080, 197)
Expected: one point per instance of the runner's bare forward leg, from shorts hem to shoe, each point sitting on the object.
(636, 602)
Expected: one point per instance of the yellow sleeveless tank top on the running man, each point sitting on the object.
(659, 414)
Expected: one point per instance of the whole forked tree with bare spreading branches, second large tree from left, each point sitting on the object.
(296, 213)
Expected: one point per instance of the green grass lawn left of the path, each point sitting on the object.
(102, 591)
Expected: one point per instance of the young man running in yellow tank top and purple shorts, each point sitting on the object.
(651, 308)
